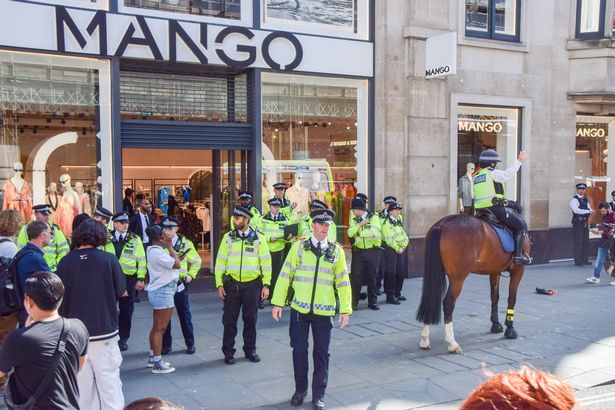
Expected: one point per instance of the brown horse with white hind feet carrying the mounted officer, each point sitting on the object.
(455, 246)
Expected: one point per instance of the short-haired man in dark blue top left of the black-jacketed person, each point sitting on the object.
(31, 259)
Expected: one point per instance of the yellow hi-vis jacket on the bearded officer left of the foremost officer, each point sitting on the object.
(243, 259)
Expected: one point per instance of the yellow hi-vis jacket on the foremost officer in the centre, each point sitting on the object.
(312, 276)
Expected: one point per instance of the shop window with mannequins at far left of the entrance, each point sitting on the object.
(50, 118)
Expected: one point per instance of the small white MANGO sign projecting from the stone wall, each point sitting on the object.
(441, 55)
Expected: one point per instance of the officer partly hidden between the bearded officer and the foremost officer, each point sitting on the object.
(274, 223)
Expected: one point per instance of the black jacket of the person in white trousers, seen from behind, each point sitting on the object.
(93, 282)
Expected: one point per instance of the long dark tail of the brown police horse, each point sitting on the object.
(434, 280)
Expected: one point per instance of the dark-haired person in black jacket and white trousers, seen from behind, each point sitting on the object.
(93, 282)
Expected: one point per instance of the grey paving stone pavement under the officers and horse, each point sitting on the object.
(376, 362)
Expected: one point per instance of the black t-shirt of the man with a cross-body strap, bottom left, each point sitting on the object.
(29, 351)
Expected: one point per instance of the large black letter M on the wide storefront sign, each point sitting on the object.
(63, 19)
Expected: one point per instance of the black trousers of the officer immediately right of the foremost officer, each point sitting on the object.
(365, 263)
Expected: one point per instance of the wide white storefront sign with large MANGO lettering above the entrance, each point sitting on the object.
(100, 33)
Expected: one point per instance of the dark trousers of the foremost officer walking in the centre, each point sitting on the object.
(321, 335)
